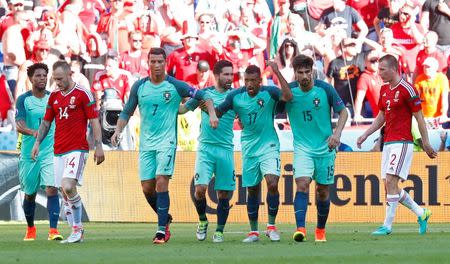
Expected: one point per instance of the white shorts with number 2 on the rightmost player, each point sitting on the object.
(396, 160)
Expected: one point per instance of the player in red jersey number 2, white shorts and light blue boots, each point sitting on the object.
(398, 102)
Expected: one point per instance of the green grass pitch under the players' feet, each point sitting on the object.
(131, 243)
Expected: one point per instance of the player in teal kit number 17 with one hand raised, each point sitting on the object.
(255, 105)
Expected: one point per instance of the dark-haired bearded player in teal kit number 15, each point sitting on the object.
(315, 142)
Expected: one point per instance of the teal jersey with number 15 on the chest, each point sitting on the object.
(310, 116)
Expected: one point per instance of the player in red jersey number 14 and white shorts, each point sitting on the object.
(71, 106)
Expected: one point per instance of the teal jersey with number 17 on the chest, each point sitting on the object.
(256, 114)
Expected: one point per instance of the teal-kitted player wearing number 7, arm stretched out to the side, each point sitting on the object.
(158, 97)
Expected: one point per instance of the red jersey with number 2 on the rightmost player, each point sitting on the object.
(398, 104)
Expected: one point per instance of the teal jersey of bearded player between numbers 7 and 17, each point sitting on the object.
(223, 134)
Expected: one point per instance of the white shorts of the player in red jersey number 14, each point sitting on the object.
(70, 165)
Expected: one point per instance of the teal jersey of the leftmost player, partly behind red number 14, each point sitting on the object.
(32, 109)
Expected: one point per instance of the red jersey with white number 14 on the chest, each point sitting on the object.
(71, 113)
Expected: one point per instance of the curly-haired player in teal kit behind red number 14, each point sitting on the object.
(36, 173)
